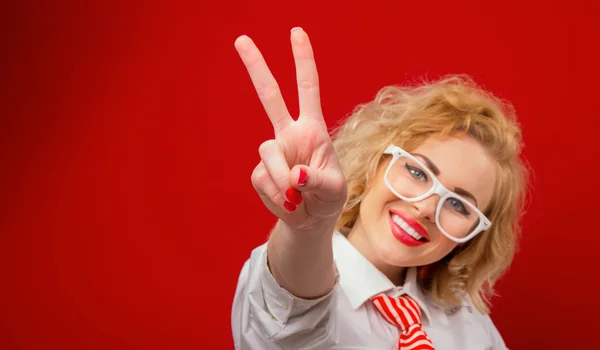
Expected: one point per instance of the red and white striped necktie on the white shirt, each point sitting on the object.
(404, 313)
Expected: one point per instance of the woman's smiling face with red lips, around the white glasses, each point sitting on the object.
(462, 163)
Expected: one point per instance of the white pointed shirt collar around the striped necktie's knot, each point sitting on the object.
(361, 280)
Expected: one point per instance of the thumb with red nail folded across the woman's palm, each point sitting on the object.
(329, 185)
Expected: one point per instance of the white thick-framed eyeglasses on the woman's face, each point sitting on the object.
(410, 180)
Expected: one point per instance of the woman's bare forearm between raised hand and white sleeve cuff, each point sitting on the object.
(302, 262)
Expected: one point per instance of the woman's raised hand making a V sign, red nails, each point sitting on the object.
(299, 178)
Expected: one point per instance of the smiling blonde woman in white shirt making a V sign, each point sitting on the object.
(391, 236)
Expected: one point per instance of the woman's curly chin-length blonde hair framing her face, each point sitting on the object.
(408, 115)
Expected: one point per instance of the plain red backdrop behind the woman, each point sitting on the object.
(129, 131)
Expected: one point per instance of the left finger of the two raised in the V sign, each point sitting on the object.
(265, 84)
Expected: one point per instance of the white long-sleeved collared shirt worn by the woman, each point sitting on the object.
(266, 316)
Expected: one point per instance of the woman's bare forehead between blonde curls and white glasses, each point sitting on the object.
(464, 163)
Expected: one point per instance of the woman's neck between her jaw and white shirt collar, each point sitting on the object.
(358, 238)
